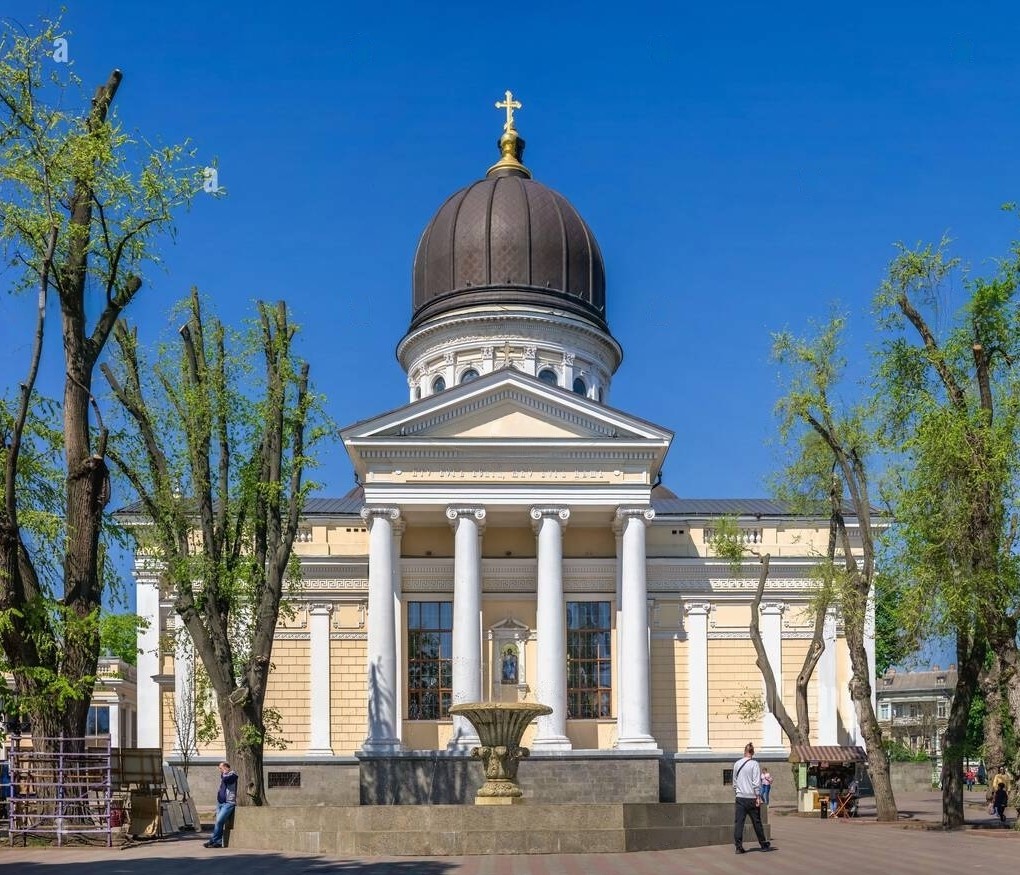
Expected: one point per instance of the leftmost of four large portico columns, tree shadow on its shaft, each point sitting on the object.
(382, 737)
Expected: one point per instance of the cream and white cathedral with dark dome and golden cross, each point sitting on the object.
(511, 540)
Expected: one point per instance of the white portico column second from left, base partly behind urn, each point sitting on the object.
(468, 524)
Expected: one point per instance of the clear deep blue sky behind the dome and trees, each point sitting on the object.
(742, 166)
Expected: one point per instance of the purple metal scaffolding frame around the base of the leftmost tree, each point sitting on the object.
(65, 792)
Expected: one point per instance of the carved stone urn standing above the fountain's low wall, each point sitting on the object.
(500, 727)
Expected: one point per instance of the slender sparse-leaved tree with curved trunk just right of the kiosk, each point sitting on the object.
(812, 370)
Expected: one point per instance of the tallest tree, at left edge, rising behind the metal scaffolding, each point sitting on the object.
(81, 208)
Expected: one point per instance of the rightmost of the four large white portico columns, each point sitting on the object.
(635, 717)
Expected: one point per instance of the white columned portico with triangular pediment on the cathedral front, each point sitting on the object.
(560, 473)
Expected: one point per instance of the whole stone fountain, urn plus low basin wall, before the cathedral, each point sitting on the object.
(543, 827)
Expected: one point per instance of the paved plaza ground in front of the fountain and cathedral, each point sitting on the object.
(804, 847)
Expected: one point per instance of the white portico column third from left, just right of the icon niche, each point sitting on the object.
(551, 683)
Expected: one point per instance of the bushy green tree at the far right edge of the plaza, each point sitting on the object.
(951, 411)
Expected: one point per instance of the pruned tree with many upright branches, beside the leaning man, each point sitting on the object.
(219, 467)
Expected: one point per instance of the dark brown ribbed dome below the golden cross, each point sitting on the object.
(508, 240)
